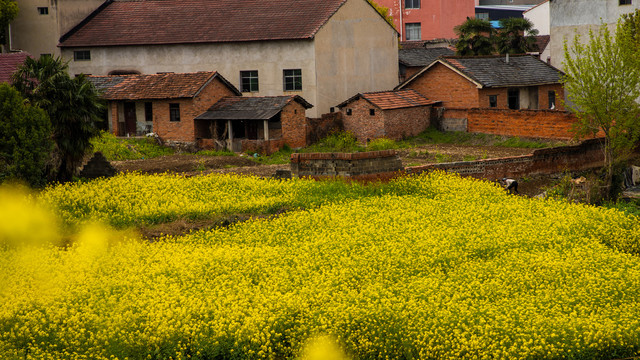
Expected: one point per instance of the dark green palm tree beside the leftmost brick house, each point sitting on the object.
(73, 105)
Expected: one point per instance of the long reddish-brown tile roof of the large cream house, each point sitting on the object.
(147, 22)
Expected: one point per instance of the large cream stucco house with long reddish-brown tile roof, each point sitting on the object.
(324, 51)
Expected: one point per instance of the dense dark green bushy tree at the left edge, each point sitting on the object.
(25, 139)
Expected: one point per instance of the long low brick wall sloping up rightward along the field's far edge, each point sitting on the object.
(587, 155)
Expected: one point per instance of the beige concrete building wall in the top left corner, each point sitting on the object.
(39, 34)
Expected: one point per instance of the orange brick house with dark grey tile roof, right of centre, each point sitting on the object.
(514, 82)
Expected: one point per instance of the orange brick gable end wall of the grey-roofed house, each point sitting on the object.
(443, 84)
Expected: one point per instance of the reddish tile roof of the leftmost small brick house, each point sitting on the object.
(156, 86)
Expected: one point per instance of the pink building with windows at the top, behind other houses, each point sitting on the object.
(428, 19)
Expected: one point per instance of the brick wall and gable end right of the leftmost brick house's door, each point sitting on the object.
(183, 130)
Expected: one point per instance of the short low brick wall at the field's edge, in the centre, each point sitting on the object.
(373, 165)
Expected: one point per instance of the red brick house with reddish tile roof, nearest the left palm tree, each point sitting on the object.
(165, 104)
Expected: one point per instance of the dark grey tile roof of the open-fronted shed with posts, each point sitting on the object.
(250, 108)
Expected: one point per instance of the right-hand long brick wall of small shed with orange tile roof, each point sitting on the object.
(401, 123)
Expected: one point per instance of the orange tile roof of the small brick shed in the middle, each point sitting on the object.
(397, 99)
